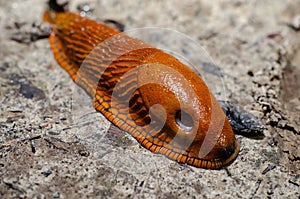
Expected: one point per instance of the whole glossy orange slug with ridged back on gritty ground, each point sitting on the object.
(161, 102)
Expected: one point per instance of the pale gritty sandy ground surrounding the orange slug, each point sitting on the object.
(54, 145)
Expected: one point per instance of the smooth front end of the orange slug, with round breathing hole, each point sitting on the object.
(192, 127)
